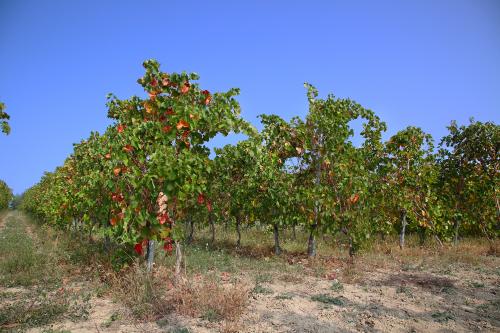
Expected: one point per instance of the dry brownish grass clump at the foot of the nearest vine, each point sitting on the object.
(152, 296)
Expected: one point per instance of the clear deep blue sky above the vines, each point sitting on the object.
(419, 63)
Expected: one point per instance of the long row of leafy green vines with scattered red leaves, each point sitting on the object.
(151, 173)
